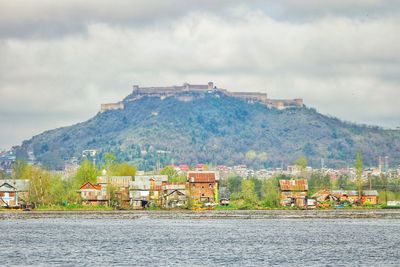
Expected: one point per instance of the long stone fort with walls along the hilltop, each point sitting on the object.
(188, 92)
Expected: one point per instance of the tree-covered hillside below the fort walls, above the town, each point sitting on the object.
(217, 129)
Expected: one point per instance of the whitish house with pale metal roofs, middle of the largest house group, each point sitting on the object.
(146, 190)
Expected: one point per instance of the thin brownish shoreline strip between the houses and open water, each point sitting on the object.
(209, 214)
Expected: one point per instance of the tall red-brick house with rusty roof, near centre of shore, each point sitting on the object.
(203, 186)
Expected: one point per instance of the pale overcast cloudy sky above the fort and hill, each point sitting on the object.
(59, 60)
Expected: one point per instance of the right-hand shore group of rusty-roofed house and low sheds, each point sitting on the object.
(295, 193)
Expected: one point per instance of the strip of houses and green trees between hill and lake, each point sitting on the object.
(119, 185)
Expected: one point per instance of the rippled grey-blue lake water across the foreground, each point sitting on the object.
(183, 242)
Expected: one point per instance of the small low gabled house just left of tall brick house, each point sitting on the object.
(174, 195)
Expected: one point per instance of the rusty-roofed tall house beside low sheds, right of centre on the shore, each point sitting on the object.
(293, 192)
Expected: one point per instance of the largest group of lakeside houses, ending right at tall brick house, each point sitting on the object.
(152, 190)
